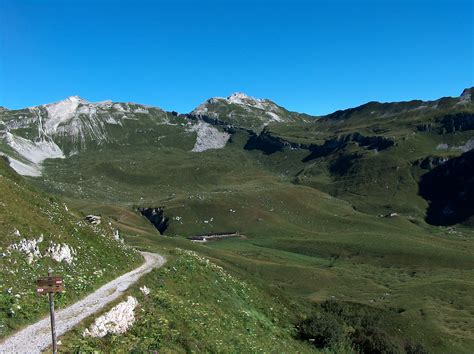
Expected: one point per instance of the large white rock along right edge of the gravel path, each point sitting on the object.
(115, 321)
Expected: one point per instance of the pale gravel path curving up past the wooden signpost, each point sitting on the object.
(37, 337)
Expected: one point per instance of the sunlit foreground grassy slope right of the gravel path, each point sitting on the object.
(195, 305)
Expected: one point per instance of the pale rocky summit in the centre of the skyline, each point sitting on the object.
(246, 112)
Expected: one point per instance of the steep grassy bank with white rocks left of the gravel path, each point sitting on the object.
(38, 232)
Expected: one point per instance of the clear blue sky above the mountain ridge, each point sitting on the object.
(309, 56)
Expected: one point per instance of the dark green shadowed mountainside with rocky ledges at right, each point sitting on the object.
(374, 155)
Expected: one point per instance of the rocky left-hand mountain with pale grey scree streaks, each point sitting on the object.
(62, 129)
